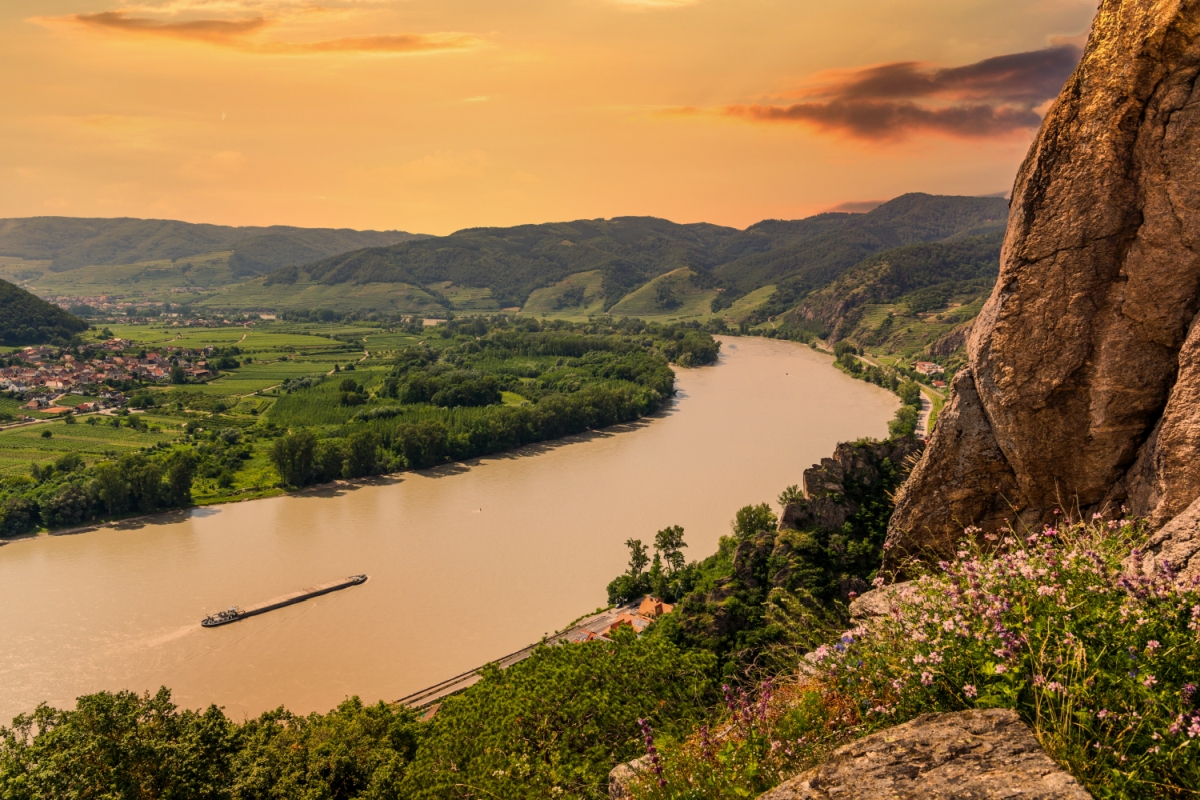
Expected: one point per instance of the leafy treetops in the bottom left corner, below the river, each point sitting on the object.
(124, 747)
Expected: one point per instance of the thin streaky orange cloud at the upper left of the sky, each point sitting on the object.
(242, 34)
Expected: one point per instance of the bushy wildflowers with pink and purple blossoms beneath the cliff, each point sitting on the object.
(1099, 659)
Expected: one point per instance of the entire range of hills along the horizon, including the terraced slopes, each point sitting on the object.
(905, 278)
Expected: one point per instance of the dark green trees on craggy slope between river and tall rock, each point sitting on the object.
(742, 603)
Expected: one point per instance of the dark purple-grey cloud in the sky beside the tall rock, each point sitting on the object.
(993, 98)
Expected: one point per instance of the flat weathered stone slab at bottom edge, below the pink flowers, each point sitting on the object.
(983, 755)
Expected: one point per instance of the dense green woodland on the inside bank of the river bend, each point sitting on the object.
(446, 404)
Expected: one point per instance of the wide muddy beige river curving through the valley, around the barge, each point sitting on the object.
(467, 564)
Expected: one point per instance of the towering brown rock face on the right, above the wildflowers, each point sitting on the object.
(1084, 378)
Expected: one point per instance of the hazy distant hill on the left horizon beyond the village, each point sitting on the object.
(70, 243)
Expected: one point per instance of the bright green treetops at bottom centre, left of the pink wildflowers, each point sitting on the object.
(557, 723)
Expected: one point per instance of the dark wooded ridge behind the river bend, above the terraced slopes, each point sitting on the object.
(797, 257)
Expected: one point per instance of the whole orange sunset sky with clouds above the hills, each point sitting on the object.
(434, 116)
